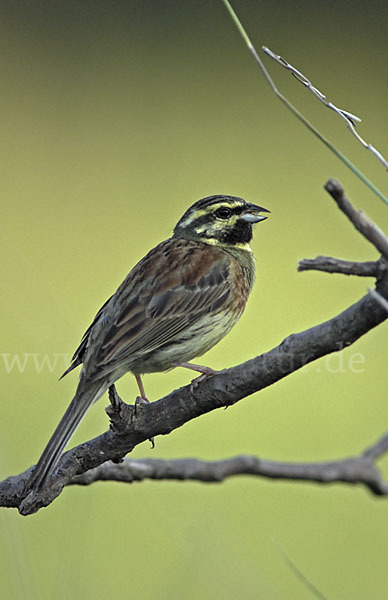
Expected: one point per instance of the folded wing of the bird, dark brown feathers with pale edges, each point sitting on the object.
(158, 316)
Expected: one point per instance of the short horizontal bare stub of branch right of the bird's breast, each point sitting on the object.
(329, 264)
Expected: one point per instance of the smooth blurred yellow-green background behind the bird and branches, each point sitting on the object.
(115, 117)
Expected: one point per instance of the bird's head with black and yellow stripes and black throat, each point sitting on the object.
(220, 221)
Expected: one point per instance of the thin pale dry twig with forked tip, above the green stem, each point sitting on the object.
(349, 118)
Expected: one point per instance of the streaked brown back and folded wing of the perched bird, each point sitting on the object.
(154, 311)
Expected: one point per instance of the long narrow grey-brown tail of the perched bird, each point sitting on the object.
(85, 396)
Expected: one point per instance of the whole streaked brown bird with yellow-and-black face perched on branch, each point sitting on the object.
(181, 299)
